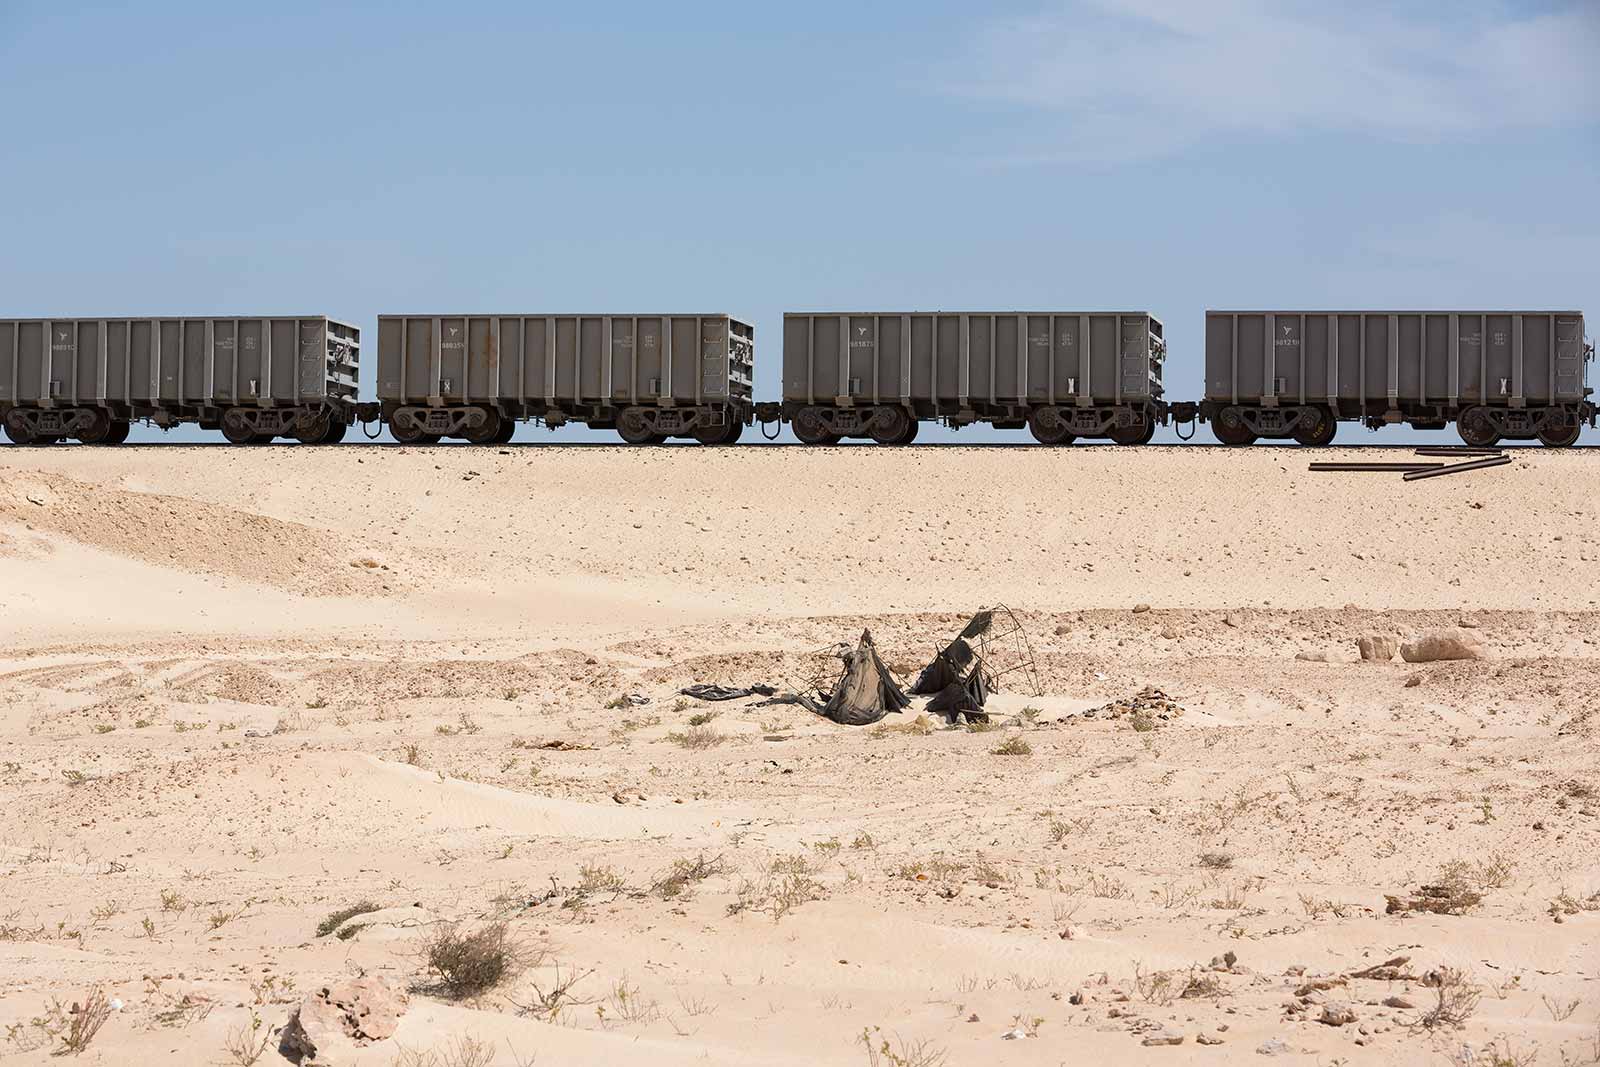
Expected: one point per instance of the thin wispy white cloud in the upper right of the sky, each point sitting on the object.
(1153, 73)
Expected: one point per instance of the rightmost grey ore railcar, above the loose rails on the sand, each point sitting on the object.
(1495, 375)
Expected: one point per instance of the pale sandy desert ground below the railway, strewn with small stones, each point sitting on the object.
(242, 690)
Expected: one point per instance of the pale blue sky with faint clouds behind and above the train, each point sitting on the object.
(1167, 154)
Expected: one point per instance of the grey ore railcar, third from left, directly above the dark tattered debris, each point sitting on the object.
(1063, 375)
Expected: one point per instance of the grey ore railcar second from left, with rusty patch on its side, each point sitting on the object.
(646, 377)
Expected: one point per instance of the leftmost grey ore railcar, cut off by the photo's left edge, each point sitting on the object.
(252, 377)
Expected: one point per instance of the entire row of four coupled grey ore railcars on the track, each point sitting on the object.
(1287, 375)
